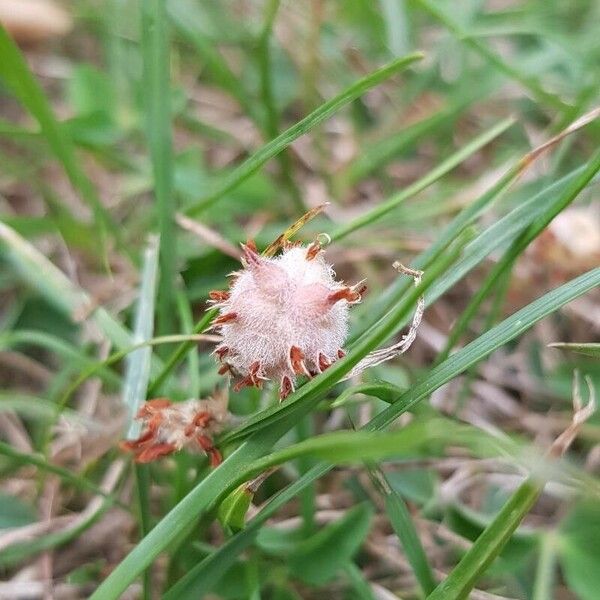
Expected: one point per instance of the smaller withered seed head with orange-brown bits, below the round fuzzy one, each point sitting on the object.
(170, 426)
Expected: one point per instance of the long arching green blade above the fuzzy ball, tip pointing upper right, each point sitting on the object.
(282, 141)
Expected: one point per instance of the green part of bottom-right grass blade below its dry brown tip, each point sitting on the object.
(489, 544)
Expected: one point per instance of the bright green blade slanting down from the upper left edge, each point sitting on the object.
(18, 77)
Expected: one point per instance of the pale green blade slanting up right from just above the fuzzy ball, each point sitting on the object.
(442, 169)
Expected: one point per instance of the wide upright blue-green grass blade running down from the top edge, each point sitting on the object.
(156, 59)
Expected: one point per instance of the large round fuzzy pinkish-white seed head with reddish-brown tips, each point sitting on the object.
(283, 316)
